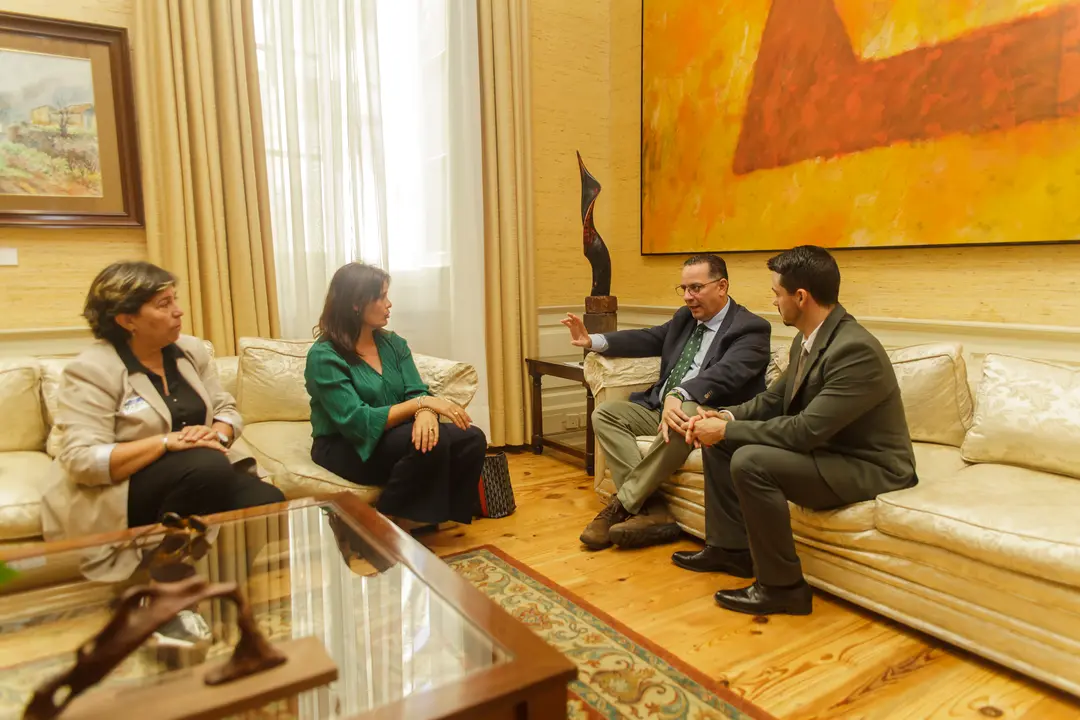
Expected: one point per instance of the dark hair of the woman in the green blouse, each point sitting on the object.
(353, 289)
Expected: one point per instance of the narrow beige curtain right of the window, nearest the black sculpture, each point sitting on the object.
(510, 303)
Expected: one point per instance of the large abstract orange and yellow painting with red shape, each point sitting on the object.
(859, 124)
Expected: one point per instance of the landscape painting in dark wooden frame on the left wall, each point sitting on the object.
(69, 147)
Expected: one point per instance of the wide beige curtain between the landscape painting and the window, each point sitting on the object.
(204, 166)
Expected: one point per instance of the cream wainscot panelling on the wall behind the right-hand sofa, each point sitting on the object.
(1048, 343)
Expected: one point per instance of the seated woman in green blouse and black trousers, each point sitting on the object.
(373, 419)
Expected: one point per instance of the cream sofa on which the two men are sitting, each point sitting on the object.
(985, 552)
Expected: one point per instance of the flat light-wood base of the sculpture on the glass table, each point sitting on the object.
(185, 696)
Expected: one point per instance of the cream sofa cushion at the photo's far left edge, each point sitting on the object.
(24, 422)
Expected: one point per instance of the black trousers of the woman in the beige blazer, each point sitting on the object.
(196, 482)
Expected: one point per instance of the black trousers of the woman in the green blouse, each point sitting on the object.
(425, 487)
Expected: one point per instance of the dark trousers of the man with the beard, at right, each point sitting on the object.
(747, 494)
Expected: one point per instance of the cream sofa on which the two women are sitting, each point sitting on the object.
(267, 381)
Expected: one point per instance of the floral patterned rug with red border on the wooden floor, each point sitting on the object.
(622, 675)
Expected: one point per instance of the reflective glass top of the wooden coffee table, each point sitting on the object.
(306, 572)
